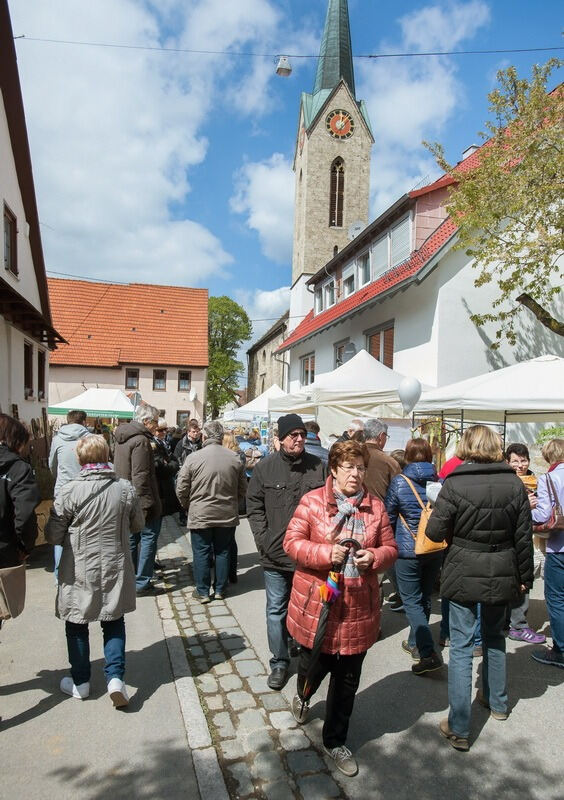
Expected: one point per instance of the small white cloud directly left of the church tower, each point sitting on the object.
(264, 193)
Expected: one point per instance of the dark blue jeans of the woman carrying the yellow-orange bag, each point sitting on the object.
(416, 579)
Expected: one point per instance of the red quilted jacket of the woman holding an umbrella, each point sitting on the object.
(354, 619)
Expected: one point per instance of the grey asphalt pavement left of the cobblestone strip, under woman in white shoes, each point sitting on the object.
(54, 746)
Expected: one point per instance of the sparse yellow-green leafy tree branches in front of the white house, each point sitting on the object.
(509, 207)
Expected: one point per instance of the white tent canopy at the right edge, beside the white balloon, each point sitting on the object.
(531, 391)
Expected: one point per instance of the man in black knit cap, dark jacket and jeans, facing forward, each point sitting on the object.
(278, 483)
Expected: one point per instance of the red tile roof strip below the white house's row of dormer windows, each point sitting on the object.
(394, 277)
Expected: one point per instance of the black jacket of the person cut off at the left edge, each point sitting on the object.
(19, 496)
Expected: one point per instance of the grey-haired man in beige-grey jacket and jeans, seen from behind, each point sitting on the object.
(211, 483)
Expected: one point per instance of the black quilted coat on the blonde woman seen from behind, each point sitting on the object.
(483, 512)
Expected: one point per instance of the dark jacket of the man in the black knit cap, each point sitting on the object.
(277, 485)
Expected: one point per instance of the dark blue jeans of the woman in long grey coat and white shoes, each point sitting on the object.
(78, 646)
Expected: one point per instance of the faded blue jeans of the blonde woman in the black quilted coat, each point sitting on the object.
(494, 683)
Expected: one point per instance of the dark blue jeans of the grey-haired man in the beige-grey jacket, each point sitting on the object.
(207, 544)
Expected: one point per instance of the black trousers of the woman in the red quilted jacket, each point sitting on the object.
(345, 677)
